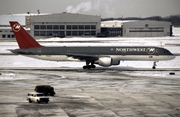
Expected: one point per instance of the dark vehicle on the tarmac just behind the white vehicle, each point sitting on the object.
(45, 89)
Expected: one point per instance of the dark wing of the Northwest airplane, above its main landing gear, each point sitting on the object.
(83, 57)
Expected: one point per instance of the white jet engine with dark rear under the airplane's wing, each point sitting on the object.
(107, 61)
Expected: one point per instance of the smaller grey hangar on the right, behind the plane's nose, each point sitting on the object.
(147, 28)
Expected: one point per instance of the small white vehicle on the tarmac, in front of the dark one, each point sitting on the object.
(37, 97)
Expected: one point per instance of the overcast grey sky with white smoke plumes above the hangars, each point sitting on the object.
(105, 8)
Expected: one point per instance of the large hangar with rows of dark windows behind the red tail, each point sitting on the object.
(63, 24)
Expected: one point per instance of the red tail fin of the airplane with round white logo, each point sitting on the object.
(23, 38)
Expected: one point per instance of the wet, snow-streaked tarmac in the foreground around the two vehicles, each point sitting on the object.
(91, 93)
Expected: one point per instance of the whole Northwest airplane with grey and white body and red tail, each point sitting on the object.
(102, 55)
